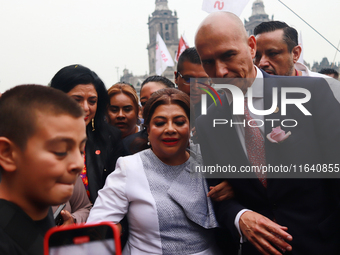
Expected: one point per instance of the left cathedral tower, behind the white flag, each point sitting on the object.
(164, 22)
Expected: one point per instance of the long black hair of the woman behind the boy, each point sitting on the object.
(70, 76)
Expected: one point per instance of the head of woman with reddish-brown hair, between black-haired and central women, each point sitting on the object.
(123, 108)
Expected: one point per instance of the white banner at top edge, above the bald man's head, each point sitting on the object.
(234, 6)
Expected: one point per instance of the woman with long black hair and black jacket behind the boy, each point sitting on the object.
(104, 145)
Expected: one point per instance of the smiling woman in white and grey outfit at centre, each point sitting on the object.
(152, 187)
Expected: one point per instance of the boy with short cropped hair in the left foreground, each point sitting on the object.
(42, 139)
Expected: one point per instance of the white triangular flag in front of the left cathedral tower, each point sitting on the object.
(163, 57)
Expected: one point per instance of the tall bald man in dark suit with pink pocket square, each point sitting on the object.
(296, 216)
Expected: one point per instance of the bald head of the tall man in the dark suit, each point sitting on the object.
(224, 47)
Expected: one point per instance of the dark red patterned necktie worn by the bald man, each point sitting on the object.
(254, 144)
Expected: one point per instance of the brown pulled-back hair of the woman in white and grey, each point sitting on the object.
(165, 97)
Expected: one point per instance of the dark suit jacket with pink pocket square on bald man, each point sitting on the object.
(308, 207)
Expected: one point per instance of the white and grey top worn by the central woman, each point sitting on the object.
(166, 206)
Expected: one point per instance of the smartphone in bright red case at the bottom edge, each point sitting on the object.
(83, 239)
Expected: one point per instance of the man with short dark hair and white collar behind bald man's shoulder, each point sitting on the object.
(278, 51)
